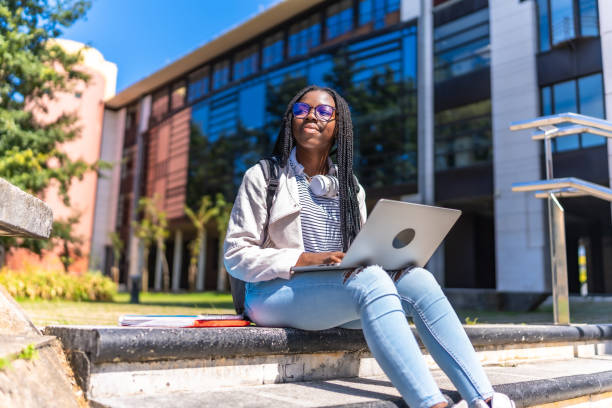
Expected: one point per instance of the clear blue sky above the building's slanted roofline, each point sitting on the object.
(142, 36)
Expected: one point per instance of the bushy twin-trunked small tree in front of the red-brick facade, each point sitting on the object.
(152, 229)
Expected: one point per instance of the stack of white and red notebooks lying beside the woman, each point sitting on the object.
(204, 320)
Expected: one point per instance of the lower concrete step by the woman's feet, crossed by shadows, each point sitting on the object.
(585, 382)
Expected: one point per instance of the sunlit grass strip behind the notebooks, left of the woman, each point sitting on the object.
(44, 313)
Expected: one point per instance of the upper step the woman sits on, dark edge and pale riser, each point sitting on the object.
(114, 362)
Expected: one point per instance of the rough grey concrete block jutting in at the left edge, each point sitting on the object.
(22, 214)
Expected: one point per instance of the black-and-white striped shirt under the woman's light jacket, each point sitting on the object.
(320, 216)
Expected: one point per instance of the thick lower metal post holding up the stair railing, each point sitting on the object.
(559, 261)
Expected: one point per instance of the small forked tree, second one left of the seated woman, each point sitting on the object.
(197, 247)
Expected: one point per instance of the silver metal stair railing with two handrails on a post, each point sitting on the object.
(551, 188)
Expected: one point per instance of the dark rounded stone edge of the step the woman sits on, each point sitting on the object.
(113, 344)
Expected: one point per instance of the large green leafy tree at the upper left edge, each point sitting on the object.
(33, 69)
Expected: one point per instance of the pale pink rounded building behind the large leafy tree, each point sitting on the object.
(87, 102)
